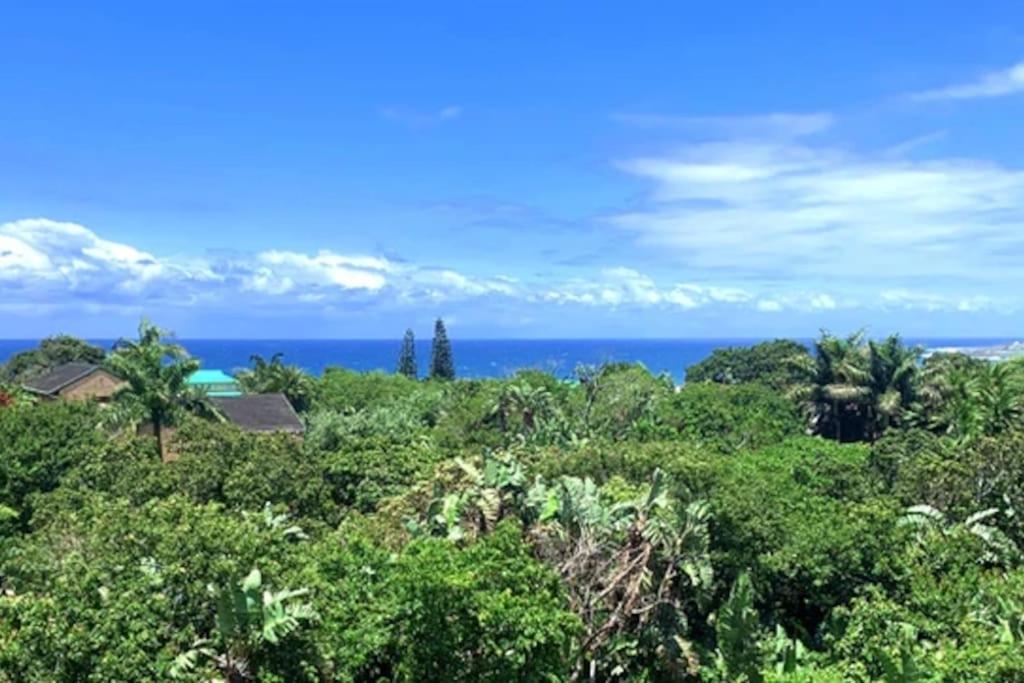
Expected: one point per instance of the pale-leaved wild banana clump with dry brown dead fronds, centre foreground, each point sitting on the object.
(633, 564)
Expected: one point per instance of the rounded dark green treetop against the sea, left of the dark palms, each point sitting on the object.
(777, 364)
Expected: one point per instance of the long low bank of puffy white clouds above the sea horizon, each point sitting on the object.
(47, 264)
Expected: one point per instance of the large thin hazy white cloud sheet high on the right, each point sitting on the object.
(781, 212)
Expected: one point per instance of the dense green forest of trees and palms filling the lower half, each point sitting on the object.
(845, 514)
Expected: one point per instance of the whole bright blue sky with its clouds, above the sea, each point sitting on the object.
(525, 170)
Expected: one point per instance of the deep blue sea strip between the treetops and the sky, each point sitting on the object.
(474, 358)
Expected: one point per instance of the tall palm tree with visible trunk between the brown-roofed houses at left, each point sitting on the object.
(157, 374)
